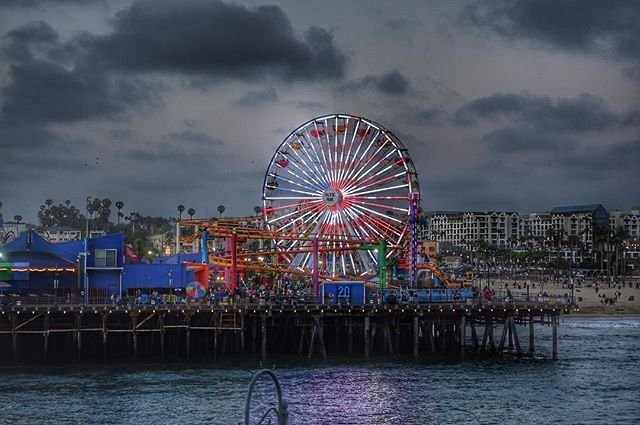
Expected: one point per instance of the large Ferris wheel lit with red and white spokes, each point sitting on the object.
(339, 178)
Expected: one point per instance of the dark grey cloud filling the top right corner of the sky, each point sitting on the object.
(606, 28)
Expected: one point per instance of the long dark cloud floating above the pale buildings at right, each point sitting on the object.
(579, 114)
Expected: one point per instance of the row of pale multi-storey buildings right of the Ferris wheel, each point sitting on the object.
(571, 232)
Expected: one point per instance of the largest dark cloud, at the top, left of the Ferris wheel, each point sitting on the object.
(205, 37)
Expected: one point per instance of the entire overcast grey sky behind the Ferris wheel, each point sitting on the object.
(515, 105)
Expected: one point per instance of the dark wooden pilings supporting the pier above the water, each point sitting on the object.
(110, 332)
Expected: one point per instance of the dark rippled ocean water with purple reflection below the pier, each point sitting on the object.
(596, 380)
